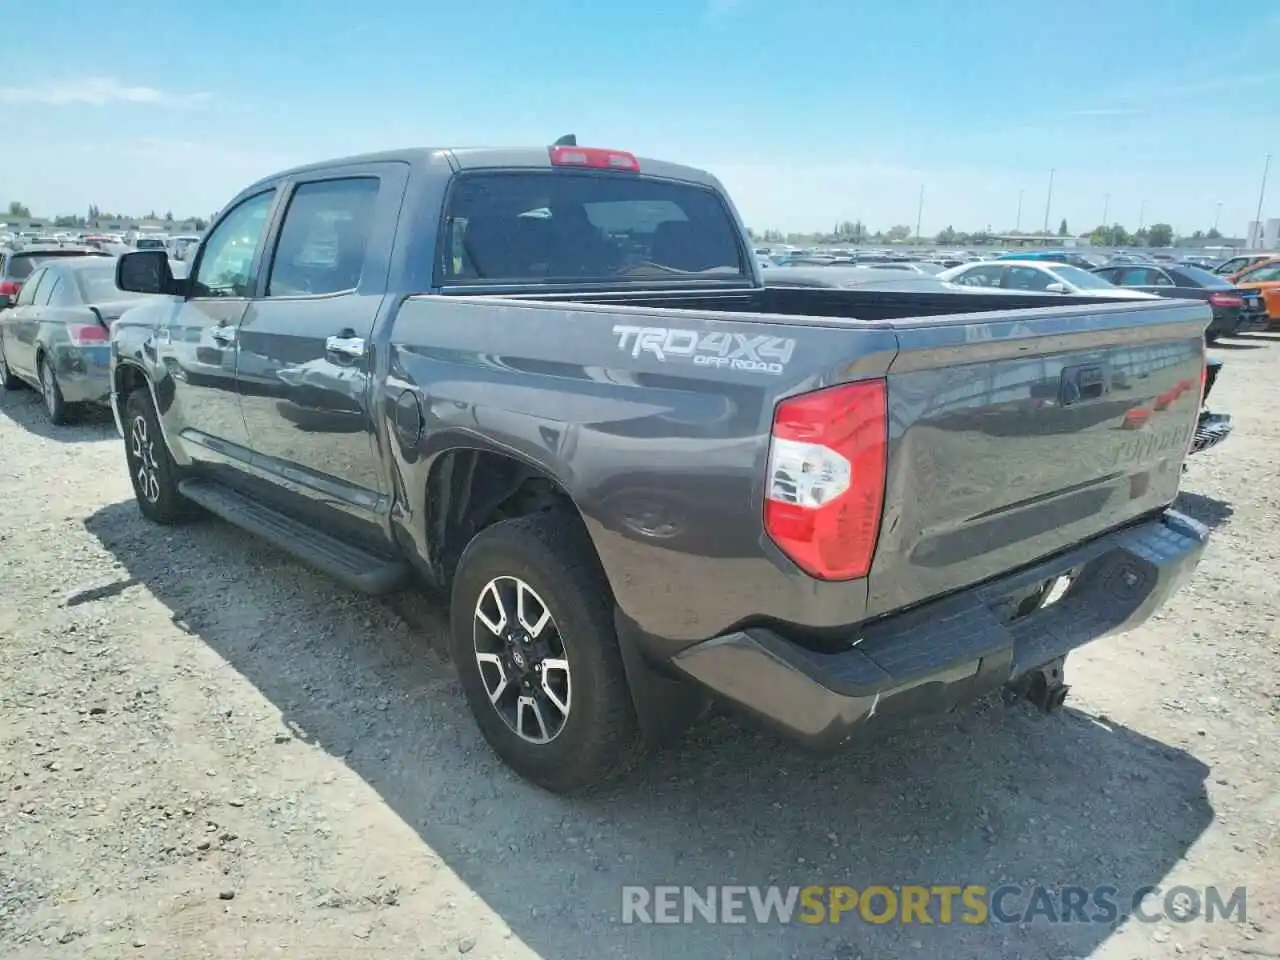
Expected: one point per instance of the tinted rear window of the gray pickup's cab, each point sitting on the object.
(565, 227)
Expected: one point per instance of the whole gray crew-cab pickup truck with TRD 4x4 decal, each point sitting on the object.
(552, 382)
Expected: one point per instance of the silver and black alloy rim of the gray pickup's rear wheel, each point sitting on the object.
(523, 661)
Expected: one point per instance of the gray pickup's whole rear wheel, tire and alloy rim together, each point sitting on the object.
(536, 648)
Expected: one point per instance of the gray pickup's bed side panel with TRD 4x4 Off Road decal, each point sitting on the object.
(664, 458)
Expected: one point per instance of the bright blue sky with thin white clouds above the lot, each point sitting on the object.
(810, 112)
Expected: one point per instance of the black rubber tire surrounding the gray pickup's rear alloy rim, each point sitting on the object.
(554, 556)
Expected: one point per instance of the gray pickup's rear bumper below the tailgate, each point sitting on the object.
(950, 651)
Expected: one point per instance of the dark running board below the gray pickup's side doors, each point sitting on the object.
(354, 566)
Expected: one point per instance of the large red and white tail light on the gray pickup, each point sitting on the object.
(826, 482)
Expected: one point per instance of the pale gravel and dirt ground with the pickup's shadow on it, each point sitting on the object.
(209, 751)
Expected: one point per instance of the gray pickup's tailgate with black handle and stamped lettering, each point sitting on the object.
(1017, 436)
